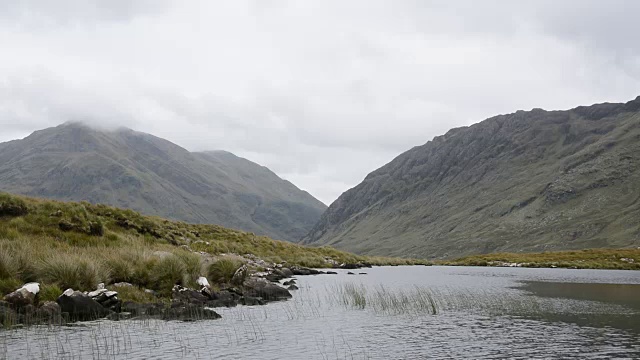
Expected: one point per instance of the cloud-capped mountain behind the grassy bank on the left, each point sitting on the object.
(142, 172)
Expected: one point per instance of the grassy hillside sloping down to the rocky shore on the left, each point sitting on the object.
(78, 245)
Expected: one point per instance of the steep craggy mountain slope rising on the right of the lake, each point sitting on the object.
(524, 182)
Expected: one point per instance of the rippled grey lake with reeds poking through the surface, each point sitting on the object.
(389, 313)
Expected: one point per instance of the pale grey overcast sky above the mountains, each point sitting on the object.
(321, 92)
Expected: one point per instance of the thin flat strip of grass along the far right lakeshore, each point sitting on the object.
(622, 259)
